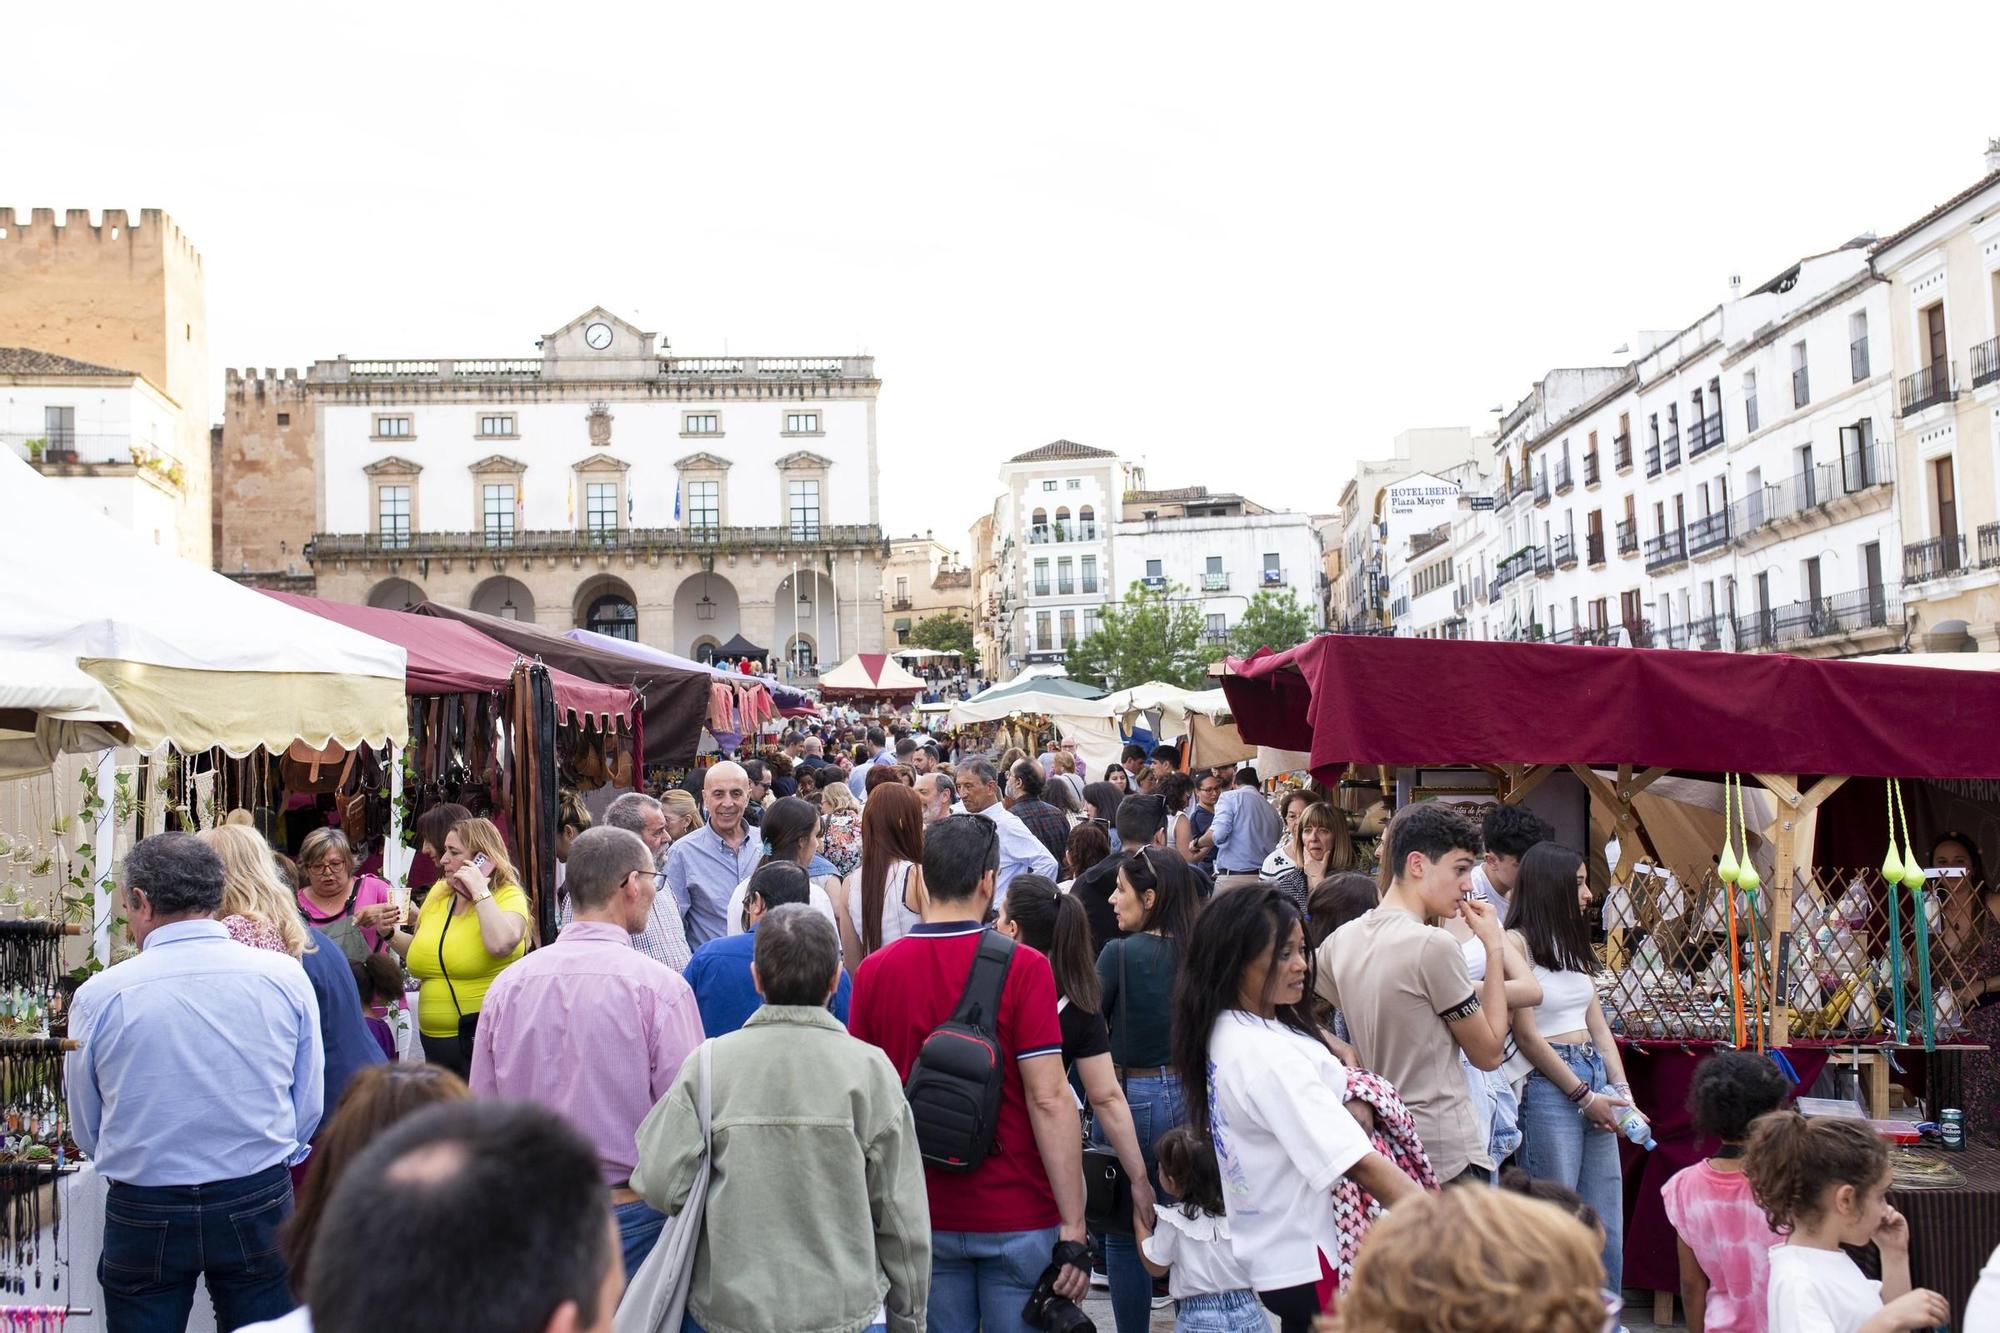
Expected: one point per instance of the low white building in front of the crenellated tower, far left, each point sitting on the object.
(107, 435)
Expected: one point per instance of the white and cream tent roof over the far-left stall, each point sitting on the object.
(185, 655)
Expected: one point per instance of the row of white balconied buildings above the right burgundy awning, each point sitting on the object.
(1729, 489)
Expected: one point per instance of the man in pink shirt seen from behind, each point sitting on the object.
(589, 1026)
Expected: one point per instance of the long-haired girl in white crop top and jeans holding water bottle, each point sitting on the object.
(1573, 1102)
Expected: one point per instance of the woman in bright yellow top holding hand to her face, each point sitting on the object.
(471, 926)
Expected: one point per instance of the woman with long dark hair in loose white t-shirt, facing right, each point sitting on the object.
(1271, 1096)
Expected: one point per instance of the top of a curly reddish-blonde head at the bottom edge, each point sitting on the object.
(1477, 1262)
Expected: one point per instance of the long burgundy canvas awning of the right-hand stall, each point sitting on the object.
(1435, 702)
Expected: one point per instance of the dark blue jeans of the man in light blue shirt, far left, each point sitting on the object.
(159, 1240)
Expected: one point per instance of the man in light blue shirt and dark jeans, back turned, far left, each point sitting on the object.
(197, 1086)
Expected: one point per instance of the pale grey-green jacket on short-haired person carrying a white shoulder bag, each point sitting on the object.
(817, 1208)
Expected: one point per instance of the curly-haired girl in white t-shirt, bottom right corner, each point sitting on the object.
(1827, 1186)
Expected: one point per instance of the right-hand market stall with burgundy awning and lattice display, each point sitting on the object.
(1839, 954)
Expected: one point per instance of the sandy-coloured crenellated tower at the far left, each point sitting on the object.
(125, 295)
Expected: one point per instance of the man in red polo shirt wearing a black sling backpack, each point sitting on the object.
(993, 1228)
